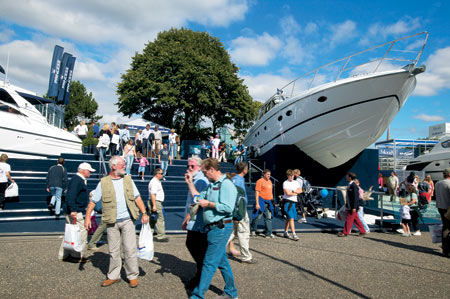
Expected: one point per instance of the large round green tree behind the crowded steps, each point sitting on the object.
(183, 78)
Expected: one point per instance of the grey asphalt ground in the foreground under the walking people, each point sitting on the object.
(320, 265)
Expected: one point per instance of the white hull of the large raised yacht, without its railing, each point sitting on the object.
(334, 122)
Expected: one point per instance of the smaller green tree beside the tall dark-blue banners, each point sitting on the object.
(82, 105)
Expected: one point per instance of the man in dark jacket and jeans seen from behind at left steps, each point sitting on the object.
(56, 183)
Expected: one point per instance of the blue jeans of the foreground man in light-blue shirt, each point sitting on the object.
(216, 257)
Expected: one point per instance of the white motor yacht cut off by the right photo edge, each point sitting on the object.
(434, 162)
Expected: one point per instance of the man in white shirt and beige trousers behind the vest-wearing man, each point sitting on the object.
(156, 192)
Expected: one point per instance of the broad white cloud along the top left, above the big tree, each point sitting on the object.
(118, 21)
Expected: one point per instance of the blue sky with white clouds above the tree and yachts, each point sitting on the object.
(271, 42)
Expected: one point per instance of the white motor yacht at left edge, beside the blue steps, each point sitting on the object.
(25, 133)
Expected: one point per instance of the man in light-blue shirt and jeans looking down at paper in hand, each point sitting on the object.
(218, 202)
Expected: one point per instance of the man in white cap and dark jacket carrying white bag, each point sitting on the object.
(77, 199)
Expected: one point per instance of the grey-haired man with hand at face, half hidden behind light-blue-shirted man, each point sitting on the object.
(196, 241)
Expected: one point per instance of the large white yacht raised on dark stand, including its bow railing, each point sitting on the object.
(333, 122)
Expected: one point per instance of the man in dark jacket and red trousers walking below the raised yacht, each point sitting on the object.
(352, 206)
